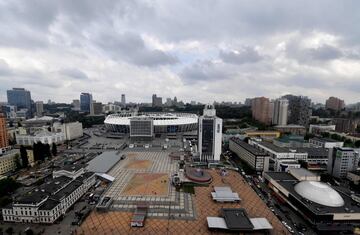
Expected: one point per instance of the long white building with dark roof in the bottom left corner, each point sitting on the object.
(46, 203)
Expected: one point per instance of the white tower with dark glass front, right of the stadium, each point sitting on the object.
(210, 135)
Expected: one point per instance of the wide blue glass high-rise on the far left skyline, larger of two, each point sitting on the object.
(20, 98)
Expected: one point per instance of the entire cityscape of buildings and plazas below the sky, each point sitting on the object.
(283, 166)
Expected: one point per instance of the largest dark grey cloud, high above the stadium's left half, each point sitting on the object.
(131, 47)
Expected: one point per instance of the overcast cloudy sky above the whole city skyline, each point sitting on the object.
(196, 50)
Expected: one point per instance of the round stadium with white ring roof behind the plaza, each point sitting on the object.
(130, 122)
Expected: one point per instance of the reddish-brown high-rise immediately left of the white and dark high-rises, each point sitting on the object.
(260, 108)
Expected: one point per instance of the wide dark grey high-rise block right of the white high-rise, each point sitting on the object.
(299, 109)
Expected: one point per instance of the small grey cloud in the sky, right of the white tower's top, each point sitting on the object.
(245, 55)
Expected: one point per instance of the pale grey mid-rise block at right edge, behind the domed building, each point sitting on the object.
(341, 161)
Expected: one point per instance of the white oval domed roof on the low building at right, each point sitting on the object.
(320, 193)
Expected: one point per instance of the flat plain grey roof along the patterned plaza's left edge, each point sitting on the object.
(104, 162)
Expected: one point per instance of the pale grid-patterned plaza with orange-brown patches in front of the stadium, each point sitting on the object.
(143, 178)
